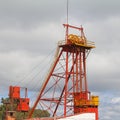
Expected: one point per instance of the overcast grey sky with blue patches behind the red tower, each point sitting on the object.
(30, 30)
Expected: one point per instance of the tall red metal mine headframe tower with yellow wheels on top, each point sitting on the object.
(65, 91)
